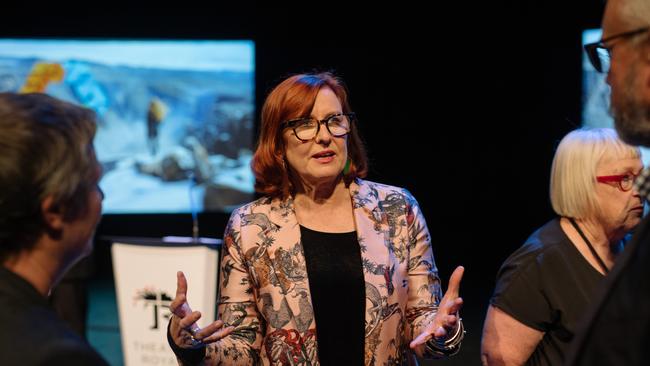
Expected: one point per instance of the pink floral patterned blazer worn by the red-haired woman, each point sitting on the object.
(265, 289)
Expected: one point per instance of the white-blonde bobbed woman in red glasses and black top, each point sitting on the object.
(545, 286)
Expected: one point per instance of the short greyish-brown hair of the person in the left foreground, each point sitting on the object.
(45, 150)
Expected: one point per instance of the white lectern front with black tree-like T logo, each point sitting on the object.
(145, 285)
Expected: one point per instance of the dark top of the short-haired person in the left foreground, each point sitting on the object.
(32, 334)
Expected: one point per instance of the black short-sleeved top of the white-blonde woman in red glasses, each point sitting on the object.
(547, 285)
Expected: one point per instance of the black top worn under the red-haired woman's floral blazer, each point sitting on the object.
(337, 291)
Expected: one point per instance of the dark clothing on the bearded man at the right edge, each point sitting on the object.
(616, 330)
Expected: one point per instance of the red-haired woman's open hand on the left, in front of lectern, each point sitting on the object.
(184, 330)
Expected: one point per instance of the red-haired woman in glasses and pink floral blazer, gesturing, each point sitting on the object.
(326, 268)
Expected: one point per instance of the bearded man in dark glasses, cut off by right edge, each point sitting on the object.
(617, 331)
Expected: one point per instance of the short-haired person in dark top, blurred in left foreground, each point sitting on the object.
(50, 204)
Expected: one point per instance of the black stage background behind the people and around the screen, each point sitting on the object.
(462, 105)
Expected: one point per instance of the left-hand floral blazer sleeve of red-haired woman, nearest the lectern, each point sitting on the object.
(236, 305)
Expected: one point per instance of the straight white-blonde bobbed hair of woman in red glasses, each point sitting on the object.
(573, 173)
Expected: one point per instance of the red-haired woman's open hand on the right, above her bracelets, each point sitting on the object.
(446, 319)
